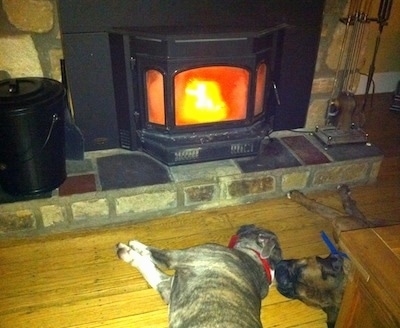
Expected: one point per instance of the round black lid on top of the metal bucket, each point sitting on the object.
(20, 93)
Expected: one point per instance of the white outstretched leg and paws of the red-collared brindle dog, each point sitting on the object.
(139, 256)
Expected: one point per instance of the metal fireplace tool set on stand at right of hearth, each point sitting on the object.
(344, 119)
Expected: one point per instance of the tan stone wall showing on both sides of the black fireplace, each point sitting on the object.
(30, 45)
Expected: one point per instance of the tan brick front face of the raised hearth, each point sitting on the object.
(195, 187)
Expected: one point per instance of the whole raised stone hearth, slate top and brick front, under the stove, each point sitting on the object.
(117, 185)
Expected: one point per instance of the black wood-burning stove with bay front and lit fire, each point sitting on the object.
(201, 93)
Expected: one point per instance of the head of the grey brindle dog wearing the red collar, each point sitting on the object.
(263, 241)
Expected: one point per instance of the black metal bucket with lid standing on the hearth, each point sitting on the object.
(32, 135)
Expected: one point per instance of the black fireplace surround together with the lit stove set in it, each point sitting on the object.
(133, 68)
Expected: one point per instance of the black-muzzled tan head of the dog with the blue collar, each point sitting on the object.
(315, 281)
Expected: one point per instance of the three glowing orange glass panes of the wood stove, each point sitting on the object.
(205, 95)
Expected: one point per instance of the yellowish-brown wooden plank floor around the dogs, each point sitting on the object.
(75, 279)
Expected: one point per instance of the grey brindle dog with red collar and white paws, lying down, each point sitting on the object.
(213, 285)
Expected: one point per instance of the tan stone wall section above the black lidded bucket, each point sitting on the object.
(30, 43)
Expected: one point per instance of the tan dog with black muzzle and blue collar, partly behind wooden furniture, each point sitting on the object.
(320, 281)
